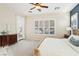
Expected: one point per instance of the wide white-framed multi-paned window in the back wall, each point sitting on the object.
(44, 27)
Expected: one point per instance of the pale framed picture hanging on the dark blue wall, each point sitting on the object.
(74, 21)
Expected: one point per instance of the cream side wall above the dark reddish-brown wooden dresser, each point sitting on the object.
(7, 17)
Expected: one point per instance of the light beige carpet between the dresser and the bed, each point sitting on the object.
(21, 48)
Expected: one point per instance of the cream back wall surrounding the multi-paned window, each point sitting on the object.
(62, 21)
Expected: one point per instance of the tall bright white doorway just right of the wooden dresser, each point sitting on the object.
(20, 28)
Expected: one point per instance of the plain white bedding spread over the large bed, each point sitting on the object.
(57, 47)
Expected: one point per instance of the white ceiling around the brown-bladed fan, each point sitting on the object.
(23, 8)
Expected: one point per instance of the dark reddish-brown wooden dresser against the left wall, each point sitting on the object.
(8, 39)
